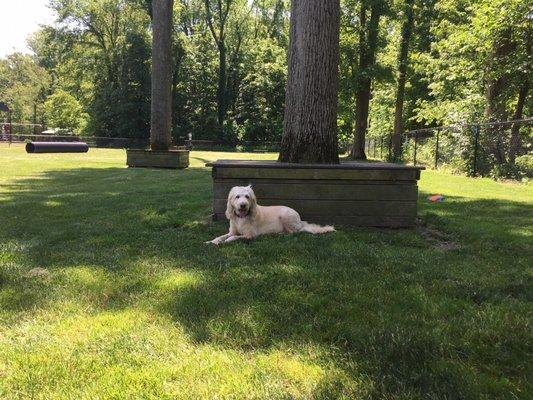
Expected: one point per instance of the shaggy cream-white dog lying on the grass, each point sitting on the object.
(249, 220)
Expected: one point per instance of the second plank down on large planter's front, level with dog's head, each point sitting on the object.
(329, 191)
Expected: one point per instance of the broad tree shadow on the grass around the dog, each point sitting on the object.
(380, 304)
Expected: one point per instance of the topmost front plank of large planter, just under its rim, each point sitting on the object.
(330, 174)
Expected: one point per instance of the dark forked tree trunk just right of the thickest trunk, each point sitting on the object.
(367, 58)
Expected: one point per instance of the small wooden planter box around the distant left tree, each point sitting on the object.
(178, 158)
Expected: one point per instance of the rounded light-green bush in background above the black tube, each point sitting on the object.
(63, 111)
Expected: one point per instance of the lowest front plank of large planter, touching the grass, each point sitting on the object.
(350, 221)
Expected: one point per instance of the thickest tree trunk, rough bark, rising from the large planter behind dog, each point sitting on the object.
(310, 121)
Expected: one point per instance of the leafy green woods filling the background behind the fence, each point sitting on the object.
(403, 65)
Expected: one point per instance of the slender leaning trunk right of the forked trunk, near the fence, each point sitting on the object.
(403, 57)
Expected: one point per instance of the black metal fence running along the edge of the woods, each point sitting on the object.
(462, 147)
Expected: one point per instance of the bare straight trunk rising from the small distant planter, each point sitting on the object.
(161, 109)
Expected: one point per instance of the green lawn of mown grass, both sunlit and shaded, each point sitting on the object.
(134, 305)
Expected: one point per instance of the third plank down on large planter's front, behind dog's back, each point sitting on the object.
(337, 208)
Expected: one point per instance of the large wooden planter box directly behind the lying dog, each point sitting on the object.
(349, 194)
